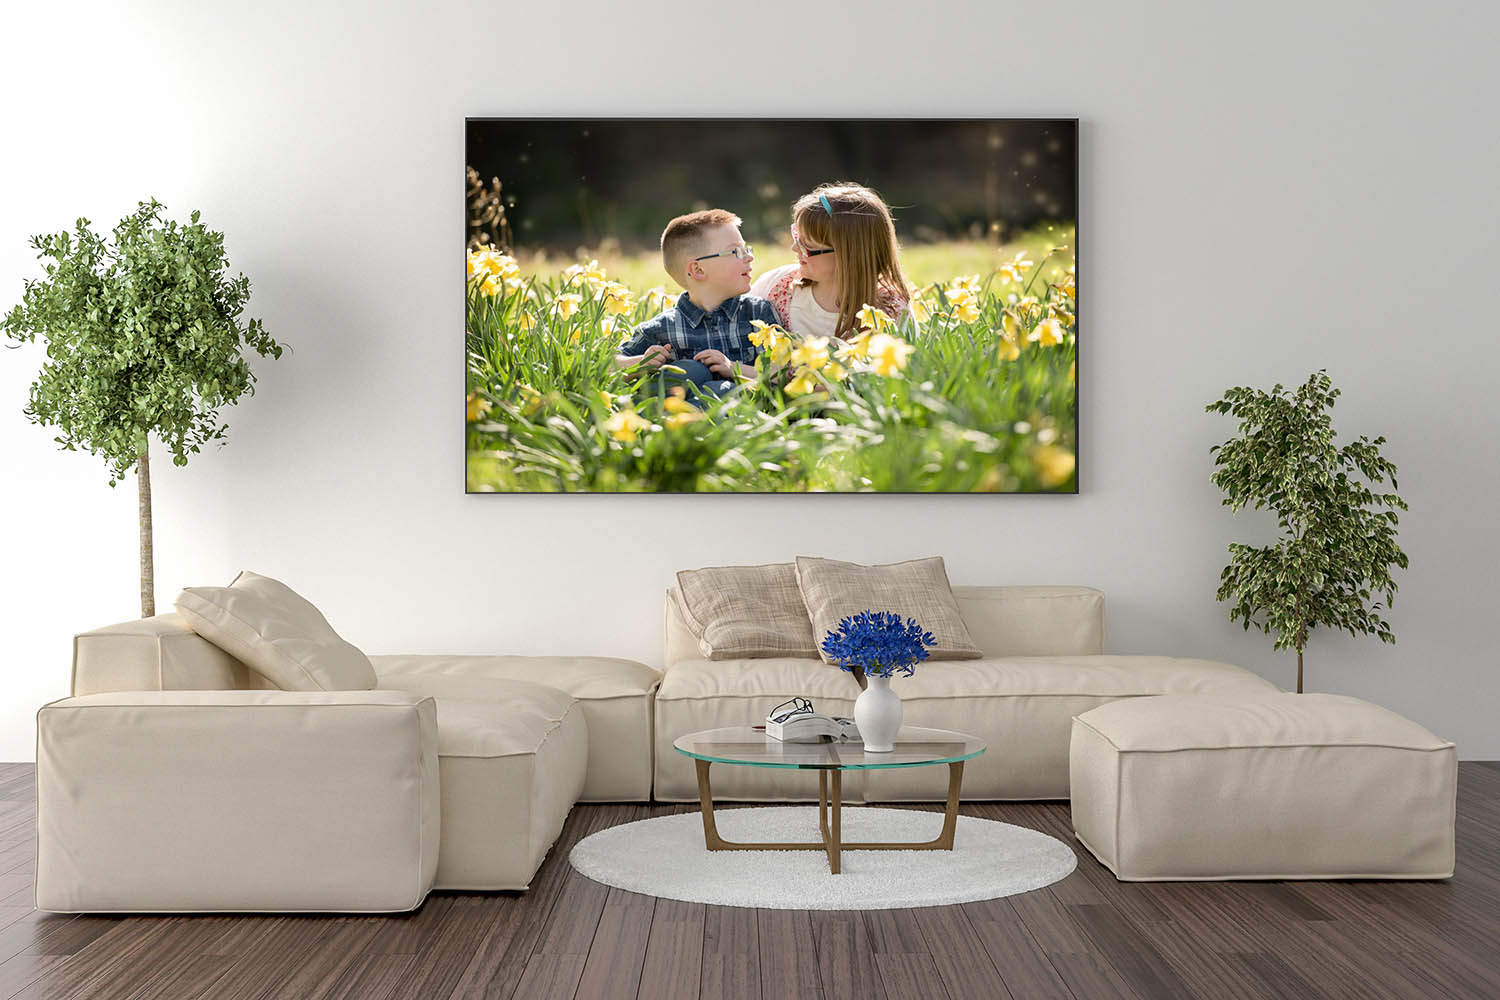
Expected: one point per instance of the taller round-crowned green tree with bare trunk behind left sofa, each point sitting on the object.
(145, 337)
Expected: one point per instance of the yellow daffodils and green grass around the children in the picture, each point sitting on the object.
(974, 391)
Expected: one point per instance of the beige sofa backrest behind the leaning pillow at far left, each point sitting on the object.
(155, 654)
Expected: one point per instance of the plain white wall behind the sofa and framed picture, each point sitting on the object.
(1264, 193)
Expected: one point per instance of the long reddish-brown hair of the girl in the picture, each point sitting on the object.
(860, 230)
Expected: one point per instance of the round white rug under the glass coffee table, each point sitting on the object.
(665, 857)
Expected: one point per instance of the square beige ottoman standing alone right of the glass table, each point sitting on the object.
(1285, 786)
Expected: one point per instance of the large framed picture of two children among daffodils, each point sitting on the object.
(707, 307)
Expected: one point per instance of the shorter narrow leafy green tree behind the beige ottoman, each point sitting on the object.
(1339, 534)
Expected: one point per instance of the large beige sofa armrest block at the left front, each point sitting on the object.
(241, 801)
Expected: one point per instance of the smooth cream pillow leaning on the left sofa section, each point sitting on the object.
(277, 633)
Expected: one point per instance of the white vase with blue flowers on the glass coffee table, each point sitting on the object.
(875, 647)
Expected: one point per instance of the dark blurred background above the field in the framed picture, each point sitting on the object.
(571, 187)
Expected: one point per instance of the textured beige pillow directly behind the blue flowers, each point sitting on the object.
(919, 590)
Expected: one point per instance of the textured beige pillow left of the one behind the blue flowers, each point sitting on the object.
(746, 612)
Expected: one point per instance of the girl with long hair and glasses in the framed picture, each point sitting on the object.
(847, 259)
